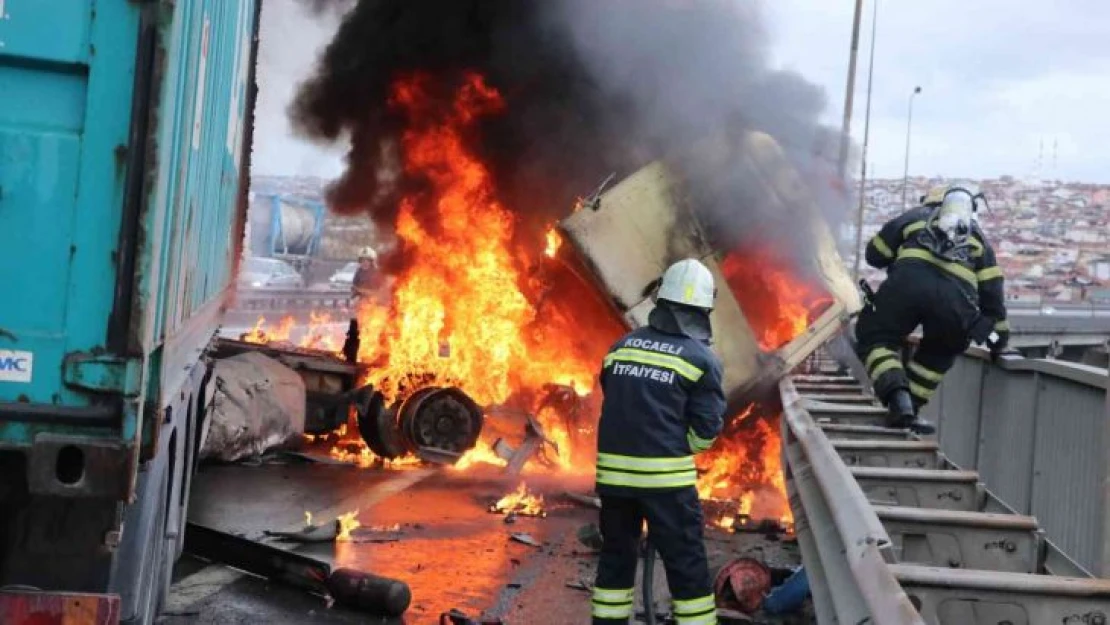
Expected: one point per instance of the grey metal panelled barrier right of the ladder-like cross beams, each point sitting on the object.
(1038, 432)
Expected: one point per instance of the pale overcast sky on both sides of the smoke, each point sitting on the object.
(998, 78)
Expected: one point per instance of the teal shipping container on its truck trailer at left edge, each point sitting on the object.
(125, 145)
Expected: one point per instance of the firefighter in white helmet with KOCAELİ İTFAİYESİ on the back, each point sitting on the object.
(663, 404)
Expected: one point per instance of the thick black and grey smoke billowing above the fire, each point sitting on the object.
(591, 88)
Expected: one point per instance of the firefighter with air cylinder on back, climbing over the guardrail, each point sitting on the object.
(942, 275)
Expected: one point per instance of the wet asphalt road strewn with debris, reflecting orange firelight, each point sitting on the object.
(440, 539)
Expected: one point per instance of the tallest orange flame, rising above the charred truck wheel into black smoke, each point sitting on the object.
(459, 314)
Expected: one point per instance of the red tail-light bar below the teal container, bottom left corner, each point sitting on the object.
(58, 609)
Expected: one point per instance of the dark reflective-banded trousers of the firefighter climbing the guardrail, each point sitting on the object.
(915, 295)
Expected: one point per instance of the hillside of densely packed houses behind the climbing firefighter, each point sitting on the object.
(1052, 238)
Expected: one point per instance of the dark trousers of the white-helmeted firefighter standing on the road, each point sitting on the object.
(674, 525)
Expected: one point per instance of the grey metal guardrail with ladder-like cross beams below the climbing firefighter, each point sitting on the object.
(893, 532)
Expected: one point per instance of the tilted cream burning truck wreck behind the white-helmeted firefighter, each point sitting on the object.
(775, 308)
